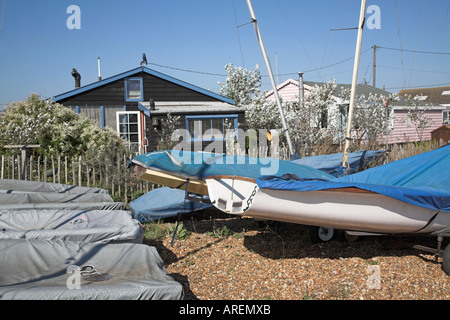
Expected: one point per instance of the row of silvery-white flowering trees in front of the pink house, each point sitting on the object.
(320, 121)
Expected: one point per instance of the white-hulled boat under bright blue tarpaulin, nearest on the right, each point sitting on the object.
(406, 196)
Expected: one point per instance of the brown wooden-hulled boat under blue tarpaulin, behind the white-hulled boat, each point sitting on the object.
(174, 168)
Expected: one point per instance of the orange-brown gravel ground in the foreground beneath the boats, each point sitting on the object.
(233, 258)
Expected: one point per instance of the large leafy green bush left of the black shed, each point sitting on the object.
(57, 128)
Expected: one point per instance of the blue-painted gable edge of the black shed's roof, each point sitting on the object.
(131, 72)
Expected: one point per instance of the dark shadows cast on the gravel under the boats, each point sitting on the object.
(278, 240)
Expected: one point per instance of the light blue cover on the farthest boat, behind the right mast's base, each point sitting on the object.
(331, 163)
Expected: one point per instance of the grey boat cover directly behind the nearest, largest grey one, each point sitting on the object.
(70, 225)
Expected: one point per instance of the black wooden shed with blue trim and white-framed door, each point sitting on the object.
(136, 104)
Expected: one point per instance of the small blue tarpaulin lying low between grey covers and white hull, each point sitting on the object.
(163, 203)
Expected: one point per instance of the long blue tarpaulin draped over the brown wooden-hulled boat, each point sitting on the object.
(200, 165)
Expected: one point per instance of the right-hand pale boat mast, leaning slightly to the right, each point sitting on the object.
(348, 137)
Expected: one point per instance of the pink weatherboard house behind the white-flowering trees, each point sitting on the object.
(402, 129)
